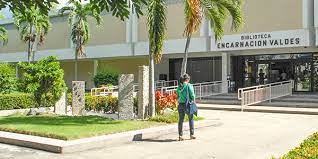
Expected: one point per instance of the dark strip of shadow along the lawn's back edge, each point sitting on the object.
(57, 120)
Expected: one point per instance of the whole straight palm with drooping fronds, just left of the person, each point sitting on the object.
(157, 29)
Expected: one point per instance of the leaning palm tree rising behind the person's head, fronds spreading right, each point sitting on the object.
(216, 11)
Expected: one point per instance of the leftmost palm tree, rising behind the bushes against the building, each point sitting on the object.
(33, 26)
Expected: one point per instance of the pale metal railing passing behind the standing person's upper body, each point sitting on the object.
(204, 89)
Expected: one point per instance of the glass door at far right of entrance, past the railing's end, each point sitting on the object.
(302, 76)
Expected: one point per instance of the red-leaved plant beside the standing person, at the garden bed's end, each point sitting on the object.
(165, 100)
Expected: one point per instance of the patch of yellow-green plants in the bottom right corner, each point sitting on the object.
(307, 150)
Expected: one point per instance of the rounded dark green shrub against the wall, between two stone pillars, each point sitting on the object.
(106, 77)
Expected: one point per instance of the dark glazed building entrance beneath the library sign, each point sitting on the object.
(265, 69)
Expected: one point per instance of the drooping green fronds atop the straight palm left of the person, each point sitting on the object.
(157, 27)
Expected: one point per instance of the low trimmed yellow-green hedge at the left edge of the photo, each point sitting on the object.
(17, 101)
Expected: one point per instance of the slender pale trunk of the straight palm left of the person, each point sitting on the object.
(152, 104)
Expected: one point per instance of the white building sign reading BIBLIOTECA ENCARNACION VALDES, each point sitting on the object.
(279, 39)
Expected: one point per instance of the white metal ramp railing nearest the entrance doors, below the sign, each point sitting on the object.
(267, 92)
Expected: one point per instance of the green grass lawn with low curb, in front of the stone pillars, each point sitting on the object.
(69, 128)
